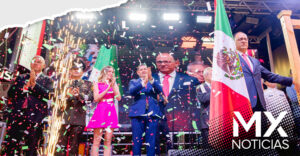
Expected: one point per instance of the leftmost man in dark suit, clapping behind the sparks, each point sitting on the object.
(28, 105)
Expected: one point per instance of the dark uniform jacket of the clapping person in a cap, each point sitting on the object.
(75, 112)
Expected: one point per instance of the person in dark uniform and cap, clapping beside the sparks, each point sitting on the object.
(79, 93)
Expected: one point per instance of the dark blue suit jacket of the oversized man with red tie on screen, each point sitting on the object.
(182, 102)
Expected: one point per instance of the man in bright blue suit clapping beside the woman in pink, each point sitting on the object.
(145, 112)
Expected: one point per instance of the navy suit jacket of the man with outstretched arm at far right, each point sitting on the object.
(253, 80)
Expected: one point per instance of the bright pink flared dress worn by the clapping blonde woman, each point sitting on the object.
(105, 114)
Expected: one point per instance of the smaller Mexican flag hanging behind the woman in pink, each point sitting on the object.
(106, 57)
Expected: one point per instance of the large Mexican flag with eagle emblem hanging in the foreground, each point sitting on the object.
(229, 91)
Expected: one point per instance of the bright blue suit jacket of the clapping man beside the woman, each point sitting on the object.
(142, 95)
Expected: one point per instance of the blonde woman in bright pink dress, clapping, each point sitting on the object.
(105, 115)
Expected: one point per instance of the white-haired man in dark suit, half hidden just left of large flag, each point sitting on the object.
(203, 96)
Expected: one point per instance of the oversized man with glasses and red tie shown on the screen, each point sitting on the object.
(179, 89)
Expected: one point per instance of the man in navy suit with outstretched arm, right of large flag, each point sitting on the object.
(253, 72)
